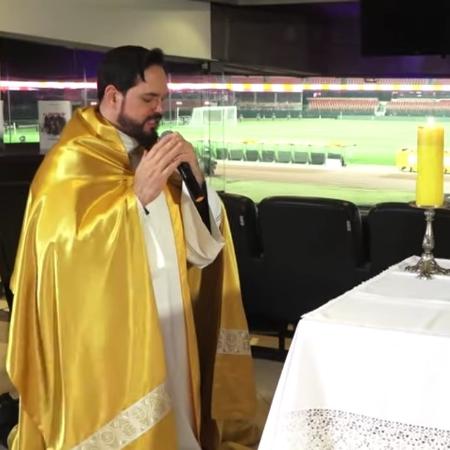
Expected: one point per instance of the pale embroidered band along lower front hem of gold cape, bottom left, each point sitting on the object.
(130, 423)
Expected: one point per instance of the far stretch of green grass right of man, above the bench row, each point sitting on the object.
(359, 140)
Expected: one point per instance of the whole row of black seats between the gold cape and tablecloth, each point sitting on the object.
(296, 253)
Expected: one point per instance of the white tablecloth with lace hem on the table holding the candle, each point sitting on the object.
(369, 370)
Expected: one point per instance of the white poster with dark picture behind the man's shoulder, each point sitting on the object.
(53, 116)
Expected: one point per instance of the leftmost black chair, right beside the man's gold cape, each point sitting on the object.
(242, 216)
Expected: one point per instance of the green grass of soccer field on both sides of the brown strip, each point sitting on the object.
(361, 140)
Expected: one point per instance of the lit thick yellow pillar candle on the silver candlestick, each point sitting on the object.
(430, 166)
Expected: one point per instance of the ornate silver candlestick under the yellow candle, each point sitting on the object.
(427, 266)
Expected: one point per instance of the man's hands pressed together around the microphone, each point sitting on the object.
(160, 162)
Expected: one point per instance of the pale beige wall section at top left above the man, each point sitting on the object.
(179, 27)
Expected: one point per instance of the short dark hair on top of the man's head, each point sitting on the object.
(124, 66)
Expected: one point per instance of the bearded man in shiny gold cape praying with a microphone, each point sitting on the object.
(127, 328)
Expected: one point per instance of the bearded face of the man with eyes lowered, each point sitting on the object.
(141, 108)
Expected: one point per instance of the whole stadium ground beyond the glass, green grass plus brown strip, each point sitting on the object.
(367, 144)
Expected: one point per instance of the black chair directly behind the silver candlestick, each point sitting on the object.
(396, 232)
